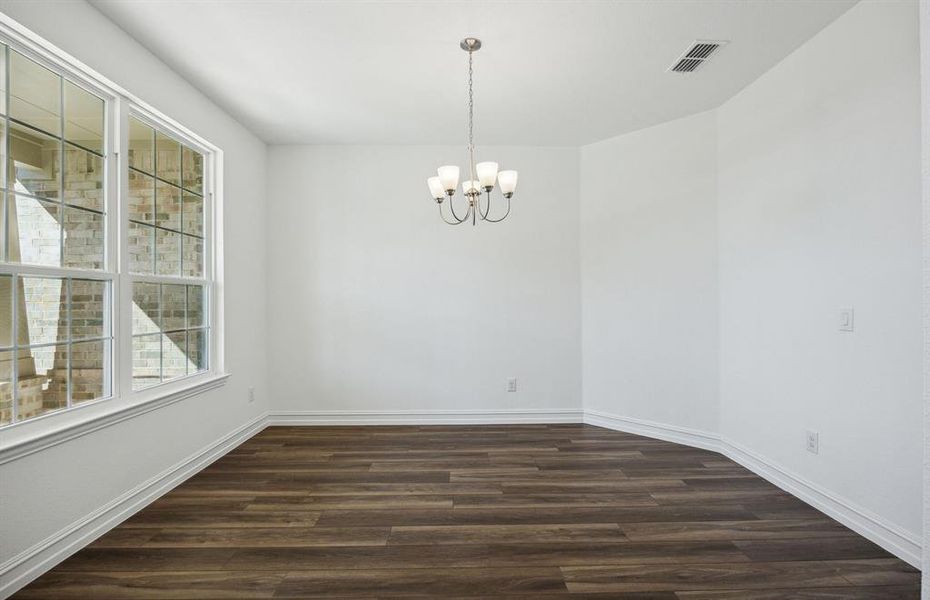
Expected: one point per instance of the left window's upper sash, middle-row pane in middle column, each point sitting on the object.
(35, 162)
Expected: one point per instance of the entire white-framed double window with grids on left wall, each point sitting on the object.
(70, 271)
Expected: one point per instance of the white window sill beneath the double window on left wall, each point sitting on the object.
(15, 446)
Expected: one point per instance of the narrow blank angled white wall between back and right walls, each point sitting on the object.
(649, 274)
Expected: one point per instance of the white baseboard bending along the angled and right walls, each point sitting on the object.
(892, 538)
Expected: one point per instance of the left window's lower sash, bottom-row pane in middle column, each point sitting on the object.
(43, 380)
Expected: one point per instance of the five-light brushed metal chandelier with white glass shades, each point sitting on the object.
(482, 177)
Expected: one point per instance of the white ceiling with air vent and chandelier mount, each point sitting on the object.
(385, 72)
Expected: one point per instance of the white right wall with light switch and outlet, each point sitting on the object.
(819, 207)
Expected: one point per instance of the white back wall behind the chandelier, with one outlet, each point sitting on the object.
(376, 305)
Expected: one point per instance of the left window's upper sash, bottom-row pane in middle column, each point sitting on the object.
(34, 232)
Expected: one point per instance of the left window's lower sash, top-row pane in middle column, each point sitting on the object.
(45, 310)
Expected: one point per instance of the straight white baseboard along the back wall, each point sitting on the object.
(431, 417)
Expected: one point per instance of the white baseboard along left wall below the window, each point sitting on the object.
(18, 571)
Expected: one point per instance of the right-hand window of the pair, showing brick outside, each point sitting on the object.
(166, 257)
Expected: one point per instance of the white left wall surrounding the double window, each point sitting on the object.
(45, 492)
